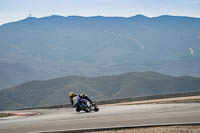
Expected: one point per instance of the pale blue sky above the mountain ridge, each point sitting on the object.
(14, 10)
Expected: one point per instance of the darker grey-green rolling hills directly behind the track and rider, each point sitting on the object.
(53, 92)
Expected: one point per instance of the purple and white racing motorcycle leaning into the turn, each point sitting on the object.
(83, 104)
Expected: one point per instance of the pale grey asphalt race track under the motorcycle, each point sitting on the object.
(108, 116)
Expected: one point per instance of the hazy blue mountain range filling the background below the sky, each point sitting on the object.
(56, 46)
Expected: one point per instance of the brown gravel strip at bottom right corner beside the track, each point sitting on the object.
(167, 129)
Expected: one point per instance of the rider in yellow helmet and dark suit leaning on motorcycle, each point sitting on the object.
(72, 95)
